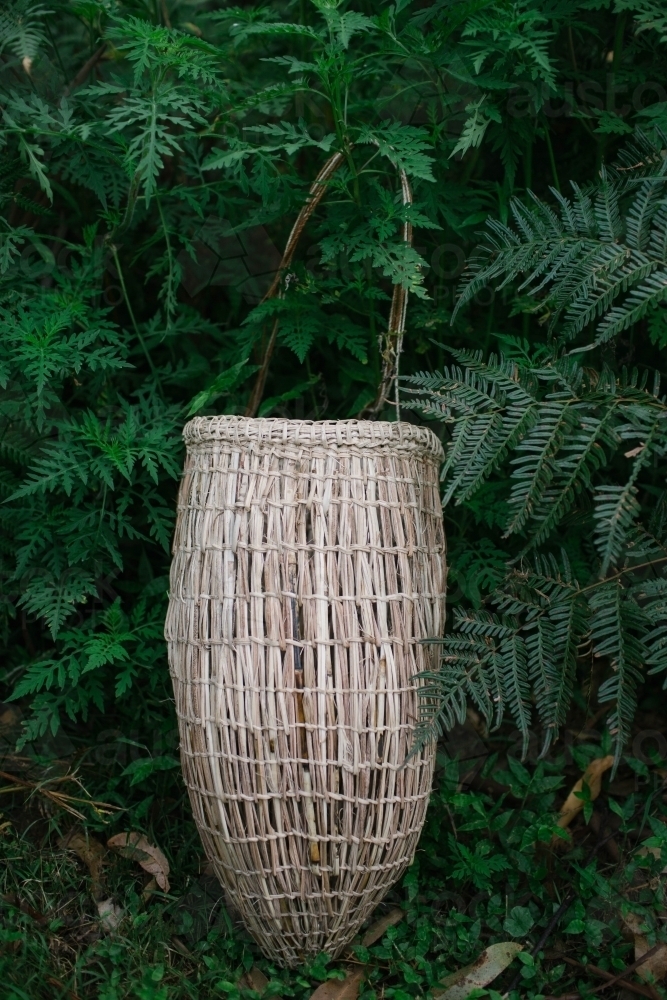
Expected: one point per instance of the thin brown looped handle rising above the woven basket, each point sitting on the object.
(390, 343)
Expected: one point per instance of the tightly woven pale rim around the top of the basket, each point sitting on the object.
(327, 433)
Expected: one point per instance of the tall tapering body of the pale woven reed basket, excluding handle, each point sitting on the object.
(309, 562)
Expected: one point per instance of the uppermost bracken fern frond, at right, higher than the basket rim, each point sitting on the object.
(590, 253)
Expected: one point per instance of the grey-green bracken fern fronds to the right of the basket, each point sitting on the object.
(581, 449)
